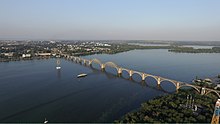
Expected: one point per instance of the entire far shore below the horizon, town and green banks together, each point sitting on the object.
(25, 50)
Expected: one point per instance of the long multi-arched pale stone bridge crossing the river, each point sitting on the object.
(143, 75)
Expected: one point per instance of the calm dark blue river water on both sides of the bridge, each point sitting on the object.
(31, 91)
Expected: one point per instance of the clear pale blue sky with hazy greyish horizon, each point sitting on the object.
(197, 20)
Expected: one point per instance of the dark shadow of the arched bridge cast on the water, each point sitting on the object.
(110, 75)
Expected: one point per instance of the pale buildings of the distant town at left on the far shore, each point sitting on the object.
(22, 50)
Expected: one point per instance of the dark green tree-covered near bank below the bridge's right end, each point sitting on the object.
(174, 108)
